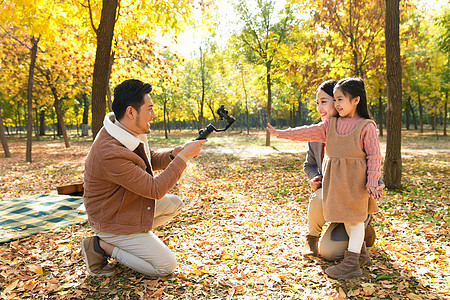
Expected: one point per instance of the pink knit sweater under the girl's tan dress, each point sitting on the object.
(369, 141)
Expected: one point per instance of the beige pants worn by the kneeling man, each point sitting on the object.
(144, 252)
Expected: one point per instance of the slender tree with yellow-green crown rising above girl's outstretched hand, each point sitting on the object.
(261, 37)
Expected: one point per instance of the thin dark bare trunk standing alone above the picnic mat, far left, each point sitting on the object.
(34, 42)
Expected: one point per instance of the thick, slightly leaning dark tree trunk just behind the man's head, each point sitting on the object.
(100, 78)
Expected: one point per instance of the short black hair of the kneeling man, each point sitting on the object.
(129, 93)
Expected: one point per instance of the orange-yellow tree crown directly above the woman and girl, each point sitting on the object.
(353, 30)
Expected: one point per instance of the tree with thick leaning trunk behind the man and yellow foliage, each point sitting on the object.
(133, 19)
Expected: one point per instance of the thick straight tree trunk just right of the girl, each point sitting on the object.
(393, 161)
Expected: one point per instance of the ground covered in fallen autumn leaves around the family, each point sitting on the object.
(242, 229)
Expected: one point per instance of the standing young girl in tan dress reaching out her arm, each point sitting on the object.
(351, 169)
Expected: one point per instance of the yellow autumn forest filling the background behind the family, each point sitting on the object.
(265, 68)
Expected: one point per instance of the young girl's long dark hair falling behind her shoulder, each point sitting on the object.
(354, 87)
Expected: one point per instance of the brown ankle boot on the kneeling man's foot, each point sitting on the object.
(96, 263)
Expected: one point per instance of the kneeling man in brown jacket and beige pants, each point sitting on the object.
(124, 200)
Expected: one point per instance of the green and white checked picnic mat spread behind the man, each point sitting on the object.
(39, 213)
